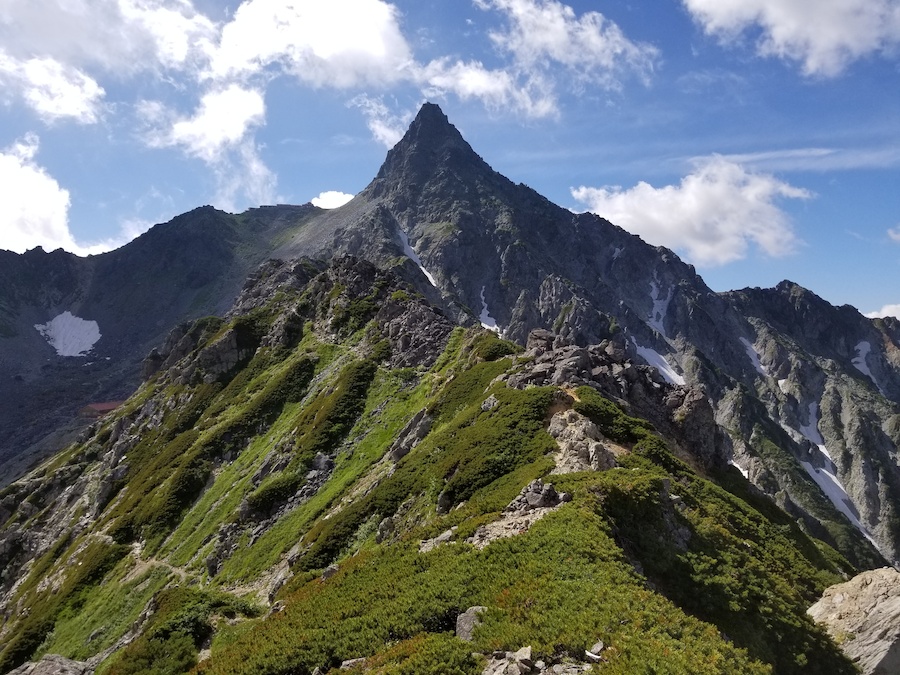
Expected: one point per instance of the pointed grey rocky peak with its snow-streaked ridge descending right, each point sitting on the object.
(807, 392)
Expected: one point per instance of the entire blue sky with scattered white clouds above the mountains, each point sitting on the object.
(759, 139)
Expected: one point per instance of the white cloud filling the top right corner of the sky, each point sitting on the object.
(825, 36)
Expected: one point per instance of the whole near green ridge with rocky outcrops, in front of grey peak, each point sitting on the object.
(336, 476)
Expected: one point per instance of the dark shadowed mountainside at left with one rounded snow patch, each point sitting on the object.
(107, 311)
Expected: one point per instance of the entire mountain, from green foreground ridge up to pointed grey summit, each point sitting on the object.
(449, 427)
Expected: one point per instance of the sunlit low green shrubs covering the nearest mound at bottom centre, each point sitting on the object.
(559, 588)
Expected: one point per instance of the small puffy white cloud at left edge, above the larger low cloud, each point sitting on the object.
(53, 90)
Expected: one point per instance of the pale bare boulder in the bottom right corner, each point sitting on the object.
(863, 616)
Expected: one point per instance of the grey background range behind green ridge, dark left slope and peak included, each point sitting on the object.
(806, 393)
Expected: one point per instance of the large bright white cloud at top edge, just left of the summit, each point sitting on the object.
(339, 43)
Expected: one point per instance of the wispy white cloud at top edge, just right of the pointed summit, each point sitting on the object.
(592, 47)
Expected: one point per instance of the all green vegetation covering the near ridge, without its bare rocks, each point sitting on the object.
(729, 574)
